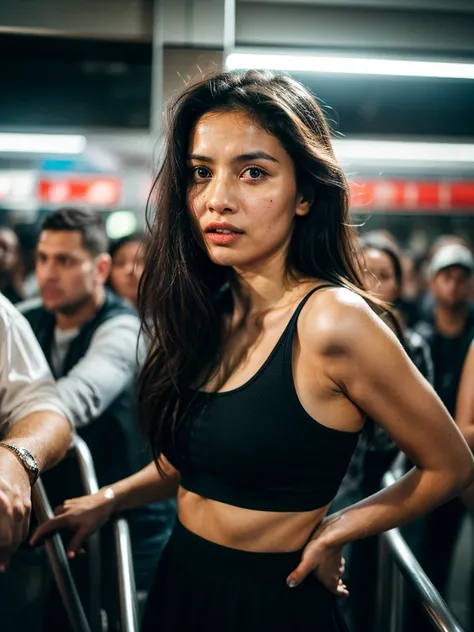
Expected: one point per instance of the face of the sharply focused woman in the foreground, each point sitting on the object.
(242, 182)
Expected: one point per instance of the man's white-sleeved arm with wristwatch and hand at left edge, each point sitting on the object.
(34, 431)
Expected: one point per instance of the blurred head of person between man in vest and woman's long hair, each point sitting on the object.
(128, 258)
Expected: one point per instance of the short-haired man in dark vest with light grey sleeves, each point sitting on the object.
(89, 337)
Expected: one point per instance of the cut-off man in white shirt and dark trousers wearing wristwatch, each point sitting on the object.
(35, 435)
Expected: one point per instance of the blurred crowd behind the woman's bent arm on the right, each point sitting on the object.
(433, 307)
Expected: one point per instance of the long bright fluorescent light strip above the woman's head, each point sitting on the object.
(350, 65)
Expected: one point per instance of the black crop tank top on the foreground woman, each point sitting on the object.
(256, 447)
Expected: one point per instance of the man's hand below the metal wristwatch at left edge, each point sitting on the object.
(15, 506)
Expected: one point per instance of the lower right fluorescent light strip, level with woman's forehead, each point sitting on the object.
(373, 150)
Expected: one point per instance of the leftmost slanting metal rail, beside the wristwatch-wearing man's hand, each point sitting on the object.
(59, 563)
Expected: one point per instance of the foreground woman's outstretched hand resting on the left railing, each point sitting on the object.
(82, 515)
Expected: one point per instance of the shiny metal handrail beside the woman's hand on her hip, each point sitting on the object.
(394, 548)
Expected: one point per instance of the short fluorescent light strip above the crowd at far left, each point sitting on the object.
(42, 143)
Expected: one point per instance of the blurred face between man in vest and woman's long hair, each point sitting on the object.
(126, 270)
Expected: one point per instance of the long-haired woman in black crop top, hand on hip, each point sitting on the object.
(265, 356)
